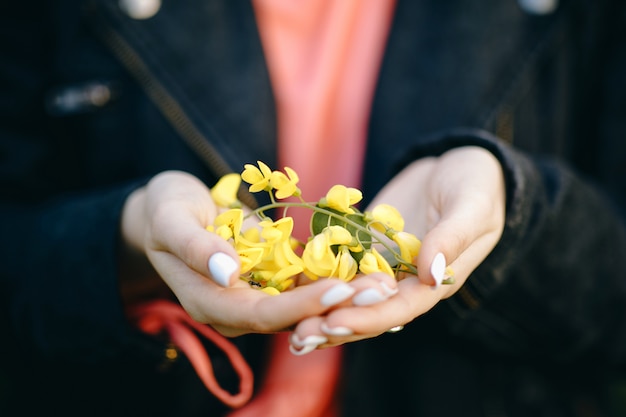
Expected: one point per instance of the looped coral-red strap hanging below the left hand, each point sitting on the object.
(155, 316)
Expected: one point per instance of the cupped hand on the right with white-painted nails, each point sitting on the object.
(456, 202)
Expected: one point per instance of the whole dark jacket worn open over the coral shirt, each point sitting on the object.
(93, 103)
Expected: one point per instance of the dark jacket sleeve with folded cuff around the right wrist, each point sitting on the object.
(553, 287)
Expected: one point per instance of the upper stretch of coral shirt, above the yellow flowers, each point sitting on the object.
(324, 58)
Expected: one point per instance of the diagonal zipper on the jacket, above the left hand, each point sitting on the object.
(170, 108)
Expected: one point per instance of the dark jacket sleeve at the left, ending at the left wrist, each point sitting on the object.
(59, 279)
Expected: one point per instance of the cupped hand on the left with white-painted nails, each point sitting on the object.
(166, 221)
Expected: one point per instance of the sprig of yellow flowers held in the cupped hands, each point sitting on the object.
(344, 241)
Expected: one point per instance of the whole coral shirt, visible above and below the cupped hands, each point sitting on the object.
(323, 58)
